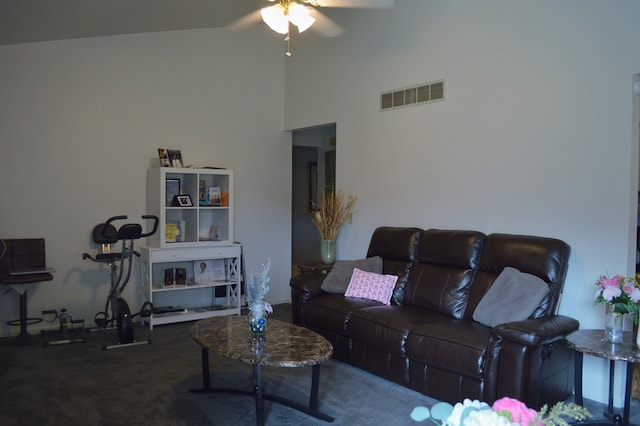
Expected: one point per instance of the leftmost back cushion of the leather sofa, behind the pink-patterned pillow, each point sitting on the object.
(397, 247)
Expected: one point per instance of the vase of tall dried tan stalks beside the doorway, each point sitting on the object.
(329, 216)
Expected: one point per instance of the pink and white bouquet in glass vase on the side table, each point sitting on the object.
(621, 292)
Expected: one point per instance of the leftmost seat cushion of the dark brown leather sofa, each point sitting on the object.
(331, 311)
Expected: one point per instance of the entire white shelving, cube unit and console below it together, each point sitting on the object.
(194, 231)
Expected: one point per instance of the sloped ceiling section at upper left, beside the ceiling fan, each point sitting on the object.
(23, 21)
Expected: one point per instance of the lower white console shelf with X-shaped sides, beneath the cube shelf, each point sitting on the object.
(191, 300)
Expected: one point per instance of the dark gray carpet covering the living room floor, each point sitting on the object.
(80, 384)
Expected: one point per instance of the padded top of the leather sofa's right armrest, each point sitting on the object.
(535, 332)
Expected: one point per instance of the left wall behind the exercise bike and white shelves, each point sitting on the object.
(80, 122)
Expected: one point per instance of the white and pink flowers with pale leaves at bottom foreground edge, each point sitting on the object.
(504, 412)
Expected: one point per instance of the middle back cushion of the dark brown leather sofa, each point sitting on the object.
(443, 271)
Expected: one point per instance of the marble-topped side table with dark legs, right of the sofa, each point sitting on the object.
(592, 342)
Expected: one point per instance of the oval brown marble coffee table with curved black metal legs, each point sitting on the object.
(282, 345)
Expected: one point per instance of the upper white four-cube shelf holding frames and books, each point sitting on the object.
(206, 222)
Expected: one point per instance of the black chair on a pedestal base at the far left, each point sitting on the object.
(23, 264)
